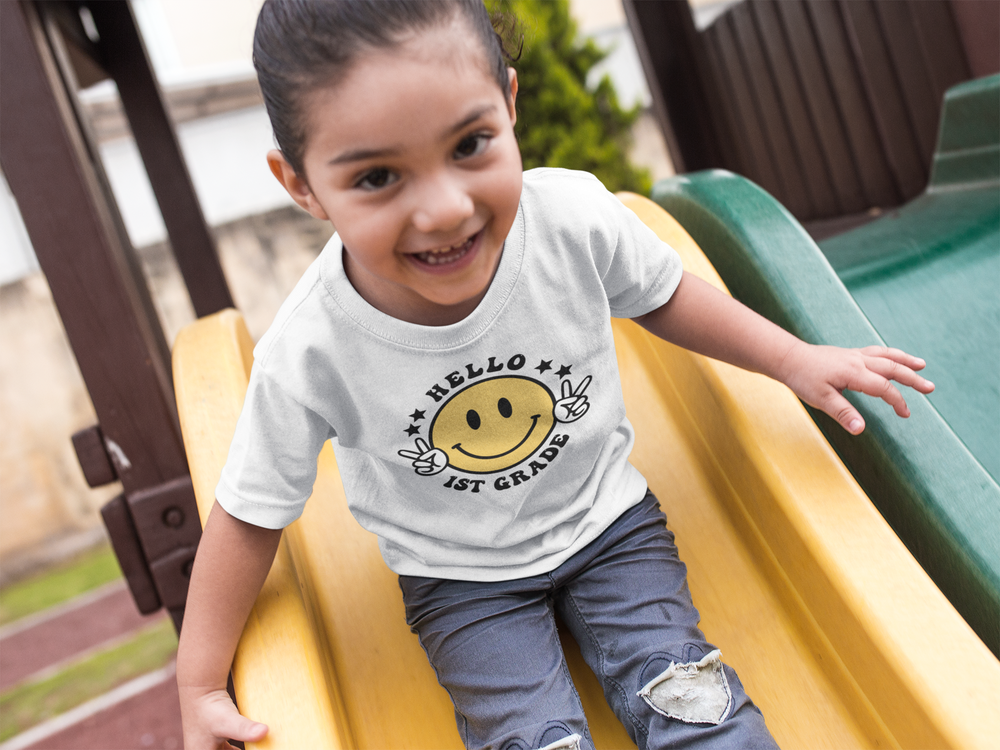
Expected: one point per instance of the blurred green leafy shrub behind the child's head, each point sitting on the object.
(560, 123)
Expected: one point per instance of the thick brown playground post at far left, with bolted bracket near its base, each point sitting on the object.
(56, 176)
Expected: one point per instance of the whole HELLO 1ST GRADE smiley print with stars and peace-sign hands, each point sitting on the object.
(487, 425)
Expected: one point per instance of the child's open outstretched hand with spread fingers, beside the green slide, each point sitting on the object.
(818, 374)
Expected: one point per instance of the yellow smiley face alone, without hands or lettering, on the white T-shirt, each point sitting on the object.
(494, 424)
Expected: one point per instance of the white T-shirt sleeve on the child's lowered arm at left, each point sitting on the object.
(271, 467)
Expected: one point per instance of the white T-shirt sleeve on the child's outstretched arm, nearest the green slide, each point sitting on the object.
(643, 271)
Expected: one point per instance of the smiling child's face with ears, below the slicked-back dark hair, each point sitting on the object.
(413, 159)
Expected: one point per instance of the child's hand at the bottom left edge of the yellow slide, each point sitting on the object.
(210, 718)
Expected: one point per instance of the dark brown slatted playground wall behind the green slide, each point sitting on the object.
(831, 106)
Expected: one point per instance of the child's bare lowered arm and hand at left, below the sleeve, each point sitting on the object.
(232, 562)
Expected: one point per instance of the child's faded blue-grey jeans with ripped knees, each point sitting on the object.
(625, 600)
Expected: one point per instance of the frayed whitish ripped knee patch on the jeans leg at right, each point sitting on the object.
(695, 692)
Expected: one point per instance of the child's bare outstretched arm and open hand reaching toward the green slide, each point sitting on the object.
(701, 318)
